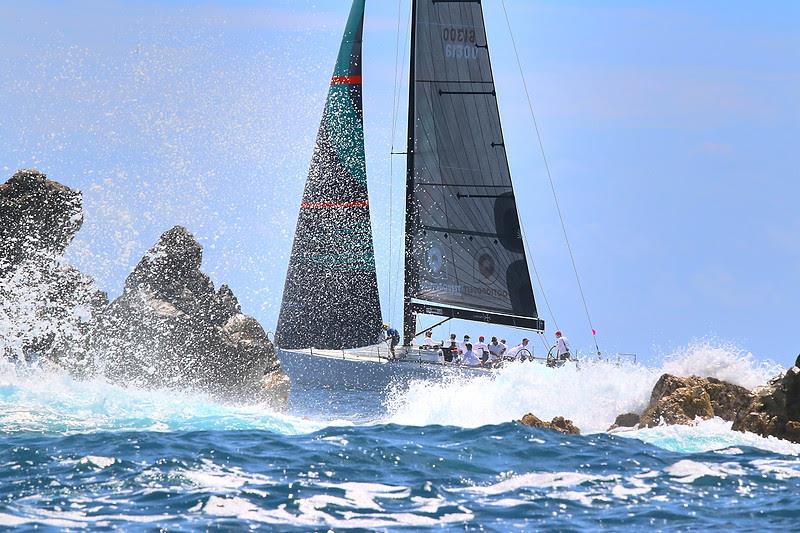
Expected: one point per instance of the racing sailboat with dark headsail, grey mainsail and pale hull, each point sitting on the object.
(465, 255)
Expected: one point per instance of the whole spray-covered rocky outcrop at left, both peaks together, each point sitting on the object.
(170, 328)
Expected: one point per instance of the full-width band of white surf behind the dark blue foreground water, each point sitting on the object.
(42, 400)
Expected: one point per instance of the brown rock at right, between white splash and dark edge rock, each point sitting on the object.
(677, 400)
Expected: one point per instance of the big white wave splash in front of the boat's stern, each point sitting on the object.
(591, 395)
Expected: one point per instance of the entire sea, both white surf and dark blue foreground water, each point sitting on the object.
(422, 455)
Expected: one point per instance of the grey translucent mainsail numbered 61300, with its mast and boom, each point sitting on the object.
(465, 253)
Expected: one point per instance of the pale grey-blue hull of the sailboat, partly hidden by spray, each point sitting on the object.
(368, 368)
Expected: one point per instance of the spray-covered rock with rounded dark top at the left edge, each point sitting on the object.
(48, 306)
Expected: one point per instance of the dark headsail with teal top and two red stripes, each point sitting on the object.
(330, 299)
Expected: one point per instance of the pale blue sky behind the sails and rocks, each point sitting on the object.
(671, 129)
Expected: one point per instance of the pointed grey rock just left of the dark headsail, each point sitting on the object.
(170, 328)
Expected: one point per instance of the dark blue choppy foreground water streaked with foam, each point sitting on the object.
(386, 476)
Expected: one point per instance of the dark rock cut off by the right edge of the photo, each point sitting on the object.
(775, 408)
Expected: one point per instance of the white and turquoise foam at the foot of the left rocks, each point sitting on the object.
(37, 400)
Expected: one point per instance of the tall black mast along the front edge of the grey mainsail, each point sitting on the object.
(411, 277)
